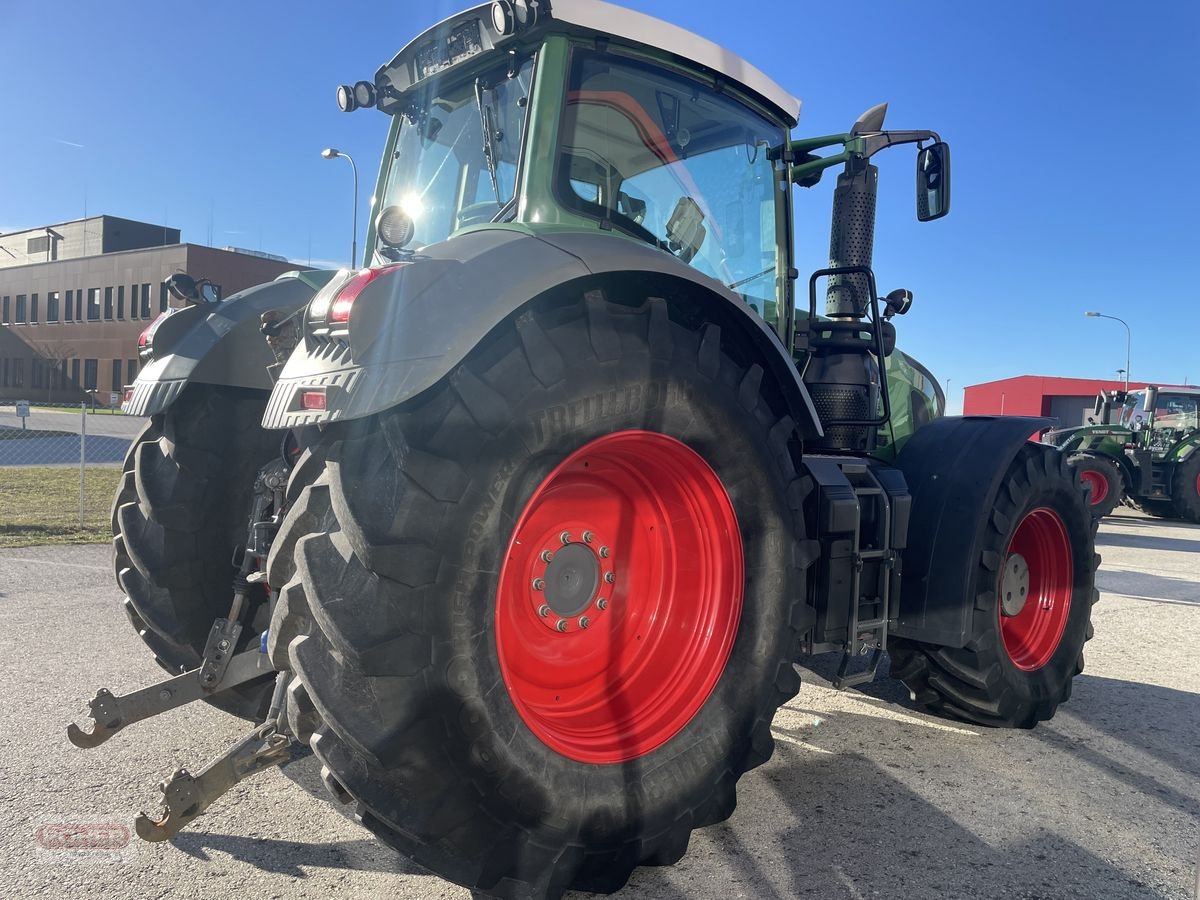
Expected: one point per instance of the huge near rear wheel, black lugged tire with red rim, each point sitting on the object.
(543, 616)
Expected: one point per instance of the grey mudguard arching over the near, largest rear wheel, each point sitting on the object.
(411, 327)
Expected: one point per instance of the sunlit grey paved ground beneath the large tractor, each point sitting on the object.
(867, 797)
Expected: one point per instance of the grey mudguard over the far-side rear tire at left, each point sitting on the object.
(217, 344)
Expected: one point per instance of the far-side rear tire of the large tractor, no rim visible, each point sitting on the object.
(182, 509)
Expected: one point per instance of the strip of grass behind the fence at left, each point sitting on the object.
(40, 505)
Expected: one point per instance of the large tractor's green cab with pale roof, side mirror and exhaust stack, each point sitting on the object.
(585, 117)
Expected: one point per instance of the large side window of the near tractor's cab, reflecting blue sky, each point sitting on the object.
(679, 165)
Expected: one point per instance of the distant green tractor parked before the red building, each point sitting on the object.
(1139, 446)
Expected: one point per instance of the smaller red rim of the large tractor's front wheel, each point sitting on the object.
(1035, 590)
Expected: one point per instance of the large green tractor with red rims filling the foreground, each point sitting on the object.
(532, 515)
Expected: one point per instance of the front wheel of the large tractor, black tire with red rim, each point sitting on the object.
(1033, 591)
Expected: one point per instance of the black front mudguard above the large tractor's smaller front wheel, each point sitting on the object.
(953, 467)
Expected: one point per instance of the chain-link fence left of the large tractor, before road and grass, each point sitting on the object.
(59, 470)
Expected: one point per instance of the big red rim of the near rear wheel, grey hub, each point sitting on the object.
(620, 597)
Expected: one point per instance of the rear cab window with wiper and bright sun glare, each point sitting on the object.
(457, 157)
